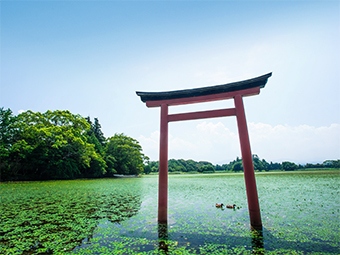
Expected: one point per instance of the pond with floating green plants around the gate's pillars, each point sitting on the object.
(300, 214)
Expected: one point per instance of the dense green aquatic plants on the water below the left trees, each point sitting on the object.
(52, 217)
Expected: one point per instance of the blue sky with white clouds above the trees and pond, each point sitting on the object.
(90, 57)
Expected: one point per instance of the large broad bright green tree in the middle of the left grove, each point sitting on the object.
(52, 145)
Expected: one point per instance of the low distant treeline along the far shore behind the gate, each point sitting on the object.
(182, 165)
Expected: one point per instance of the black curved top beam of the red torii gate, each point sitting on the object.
(229, 87)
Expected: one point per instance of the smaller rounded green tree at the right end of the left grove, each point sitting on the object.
(127, 154)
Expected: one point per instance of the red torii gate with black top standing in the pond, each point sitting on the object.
(235, 90)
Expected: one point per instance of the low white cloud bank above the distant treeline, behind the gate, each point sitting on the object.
(215, 142)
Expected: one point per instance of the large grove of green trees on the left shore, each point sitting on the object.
(62, 145)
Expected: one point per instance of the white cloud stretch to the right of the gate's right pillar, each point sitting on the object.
(296, 143)
